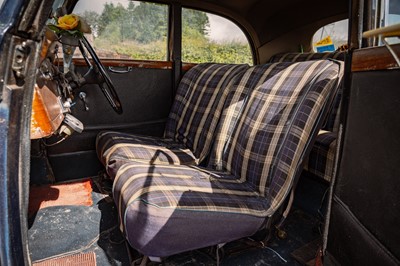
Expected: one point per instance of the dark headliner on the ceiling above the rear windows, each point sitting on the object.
(269, 19)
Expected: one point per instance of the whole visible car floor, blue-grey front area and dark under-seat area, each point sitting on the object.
(58, 231)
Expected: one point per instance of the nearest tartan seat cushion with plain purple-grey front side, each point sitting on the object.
(194, 207)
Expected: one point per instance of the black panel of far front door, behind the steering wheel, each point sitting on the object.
(145, 95)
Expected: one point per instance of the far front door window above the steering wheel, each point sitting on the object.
(124, 29)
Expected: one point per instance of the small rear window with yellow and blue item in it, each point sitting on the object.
(331, 36)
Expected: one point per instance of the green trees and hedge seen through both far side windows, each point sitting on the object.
(140, 32)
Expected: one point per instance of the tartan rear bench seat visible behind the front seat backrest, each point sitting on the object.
(321, 161)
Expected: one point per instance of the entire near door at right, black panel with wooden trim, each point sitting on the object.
(364, 211)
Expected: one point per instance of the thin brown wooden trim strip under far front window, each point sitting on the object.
(129, 63)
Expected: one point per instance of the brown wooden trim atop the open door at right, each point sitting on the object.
(374, 58)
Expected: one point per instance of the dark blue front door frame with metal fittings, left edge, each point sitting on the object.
(19, 43)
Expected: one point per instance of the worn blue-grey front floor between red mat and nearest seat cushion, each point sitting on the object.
(58, 231)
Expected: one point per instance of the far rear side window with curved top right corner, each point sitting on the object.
(210, 38)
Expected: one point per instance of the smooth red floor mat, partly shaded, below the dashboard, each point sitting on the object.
(76, 193)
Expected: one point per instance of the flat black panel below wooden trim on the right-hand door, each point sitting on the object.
(371, 155)
